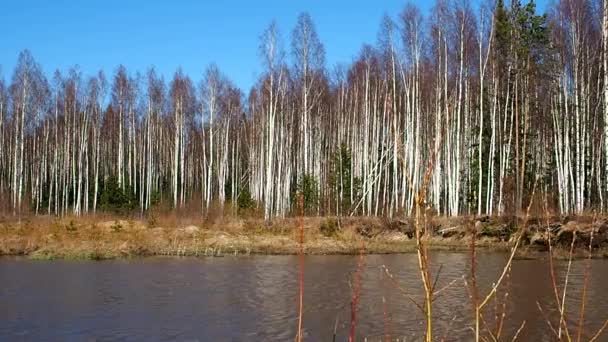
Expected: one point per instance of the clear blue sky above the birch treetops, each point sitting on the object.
(168, 34)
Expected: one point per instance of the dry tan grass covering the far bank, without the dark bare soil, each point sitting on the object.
(104, 236)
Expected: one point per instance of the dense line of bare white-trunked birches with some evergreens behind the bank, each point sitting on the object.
(490, 99)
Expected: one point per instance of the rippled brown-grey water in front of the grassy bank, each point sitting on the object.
(255, 298)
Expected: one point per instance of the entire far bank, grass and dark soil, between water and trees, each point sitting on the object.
(105, 237)
